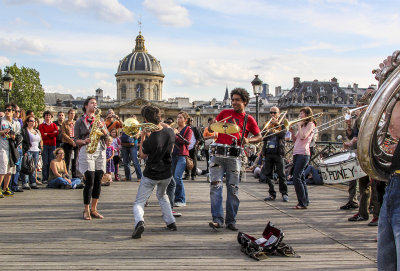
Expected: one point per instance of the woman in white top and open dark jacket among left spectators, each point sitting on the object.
(31, 145)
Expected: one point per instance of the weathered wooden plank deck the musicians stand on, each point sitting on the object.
(43, 230)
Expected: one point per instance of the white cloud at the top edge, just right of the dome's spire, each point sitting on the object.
(168, 12)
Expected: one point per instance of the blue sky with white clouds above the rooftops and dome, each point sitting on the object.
(203, 46)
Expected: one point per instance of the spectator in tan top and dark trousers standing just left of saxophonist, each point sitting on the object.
(69, 145)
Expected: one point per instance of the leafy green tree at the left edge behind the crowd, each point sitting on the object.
(27, 91)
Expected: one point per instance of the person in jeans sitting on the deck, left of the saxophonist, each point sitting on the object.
(58, 175)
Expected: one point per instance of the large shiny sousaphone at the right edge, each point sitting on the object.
(374, 137)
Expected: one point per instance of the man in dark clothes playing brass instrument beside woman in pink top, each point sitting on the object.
(274, 151)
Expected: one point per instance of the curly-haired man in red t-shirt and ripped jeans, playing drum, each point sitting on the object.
(230, 164)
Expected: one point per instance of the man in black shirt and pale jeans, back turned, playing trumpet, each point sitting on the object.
(157, 148)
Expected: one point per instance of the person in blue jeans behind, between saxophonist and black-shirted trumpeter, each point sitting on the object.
(129, 153)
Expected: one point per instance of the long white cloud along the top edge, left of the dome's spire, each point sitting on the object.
(111, 11)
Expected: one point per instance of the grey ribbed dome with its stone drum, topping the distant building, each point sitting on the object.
(139, 75)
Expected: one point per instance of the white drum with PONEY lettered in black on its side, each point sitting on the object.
(341, 167)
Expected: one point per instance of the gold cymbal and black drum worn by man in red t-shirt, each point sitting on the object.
(225, 150)
